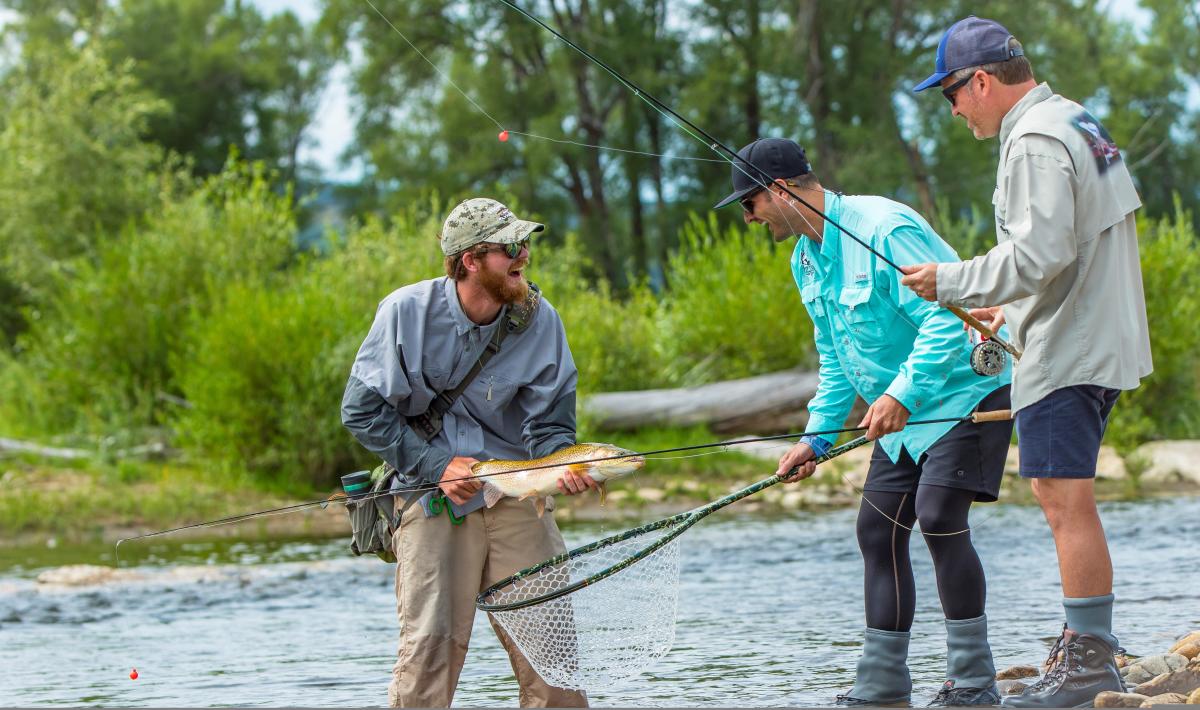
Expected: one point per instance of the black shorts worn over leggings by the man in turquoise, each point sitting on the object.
(970, 458)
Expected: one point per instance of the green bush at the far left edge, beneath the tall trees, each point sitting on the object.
(100, 357)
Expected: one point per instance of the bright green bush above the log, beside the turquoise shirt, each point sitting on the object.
(733, 309)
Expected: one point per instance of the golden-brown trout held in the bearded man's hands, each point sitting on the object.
(543, 483)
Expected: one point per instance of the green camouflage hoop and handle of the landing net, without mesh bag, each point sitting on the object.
(688, 520)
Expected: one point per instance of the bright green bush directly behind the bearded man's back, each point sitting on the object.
(265, 372)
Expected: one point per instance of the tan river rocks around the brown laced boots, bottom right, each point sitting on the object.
(1165, 679)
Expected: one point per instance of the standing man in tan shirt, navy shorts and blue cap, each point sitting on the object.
(1067, 274)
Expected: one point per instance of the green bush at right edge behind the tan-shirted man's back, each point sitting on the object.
(1166, 406)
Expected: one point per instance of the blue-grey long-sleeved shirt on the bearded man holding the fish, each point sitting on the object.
(520, 406)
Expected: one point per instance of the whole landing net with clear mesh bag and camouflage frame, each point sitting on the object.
(580, 625)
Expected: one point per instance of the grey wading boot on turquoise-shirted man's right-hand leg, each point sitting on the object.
(969, 666)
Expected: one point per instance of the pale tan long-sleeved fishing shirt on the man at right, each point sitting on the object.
(1066, 266)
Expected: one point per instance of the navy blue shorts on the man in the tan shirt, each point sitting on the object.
(1060, 435)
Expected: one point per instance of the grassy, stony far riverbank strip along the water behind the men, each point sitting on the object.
(45, 506)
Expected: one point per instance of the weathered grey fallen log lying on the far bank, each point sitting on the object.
(764, 405)
